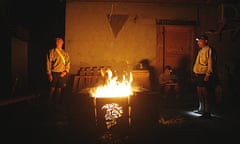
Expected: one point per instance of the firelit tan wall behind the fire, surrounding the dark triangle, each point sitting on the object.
(90, 41)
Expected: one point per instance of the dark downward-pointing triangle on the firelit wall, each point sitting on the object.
(116, 22)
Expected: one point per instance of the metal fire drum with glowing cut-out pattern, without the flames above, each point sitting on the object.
(112, 114)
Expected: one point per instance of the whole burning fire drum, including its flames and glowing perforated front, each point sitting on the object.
(112, 101)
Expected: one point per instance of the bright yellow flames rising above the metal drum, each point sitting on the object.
(113, 86)
